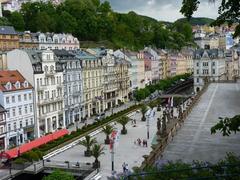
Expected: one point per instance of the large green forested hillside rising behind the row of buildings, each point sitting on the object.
(95, 21)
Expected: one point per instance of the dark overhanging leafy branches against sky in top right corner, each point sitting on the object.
(228, 12)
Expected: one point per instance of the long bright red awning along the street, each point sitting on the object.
(34, 144)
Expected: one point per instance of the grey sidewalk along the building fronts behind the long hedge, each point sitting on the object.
(107, 113)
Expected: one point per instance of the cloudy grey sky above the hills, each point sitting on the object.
(165, 10)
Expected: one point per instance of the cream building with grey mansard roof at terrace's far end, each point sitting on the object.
(209, 65)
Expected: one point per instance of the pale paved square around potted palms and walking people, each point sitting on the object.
(126, 150)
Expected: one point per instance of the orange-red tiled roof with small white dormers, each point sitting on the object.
(12, 77)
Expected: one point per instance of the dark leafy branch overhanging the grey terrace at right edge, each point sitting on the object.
(227, 125)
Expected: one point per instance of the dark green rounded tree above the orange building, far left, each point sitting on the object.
(16, 19)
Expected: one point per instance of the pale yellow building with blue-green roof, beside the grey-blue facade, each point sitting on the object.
(93, 78)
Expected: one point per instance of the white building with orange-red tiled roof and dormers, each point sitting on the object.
(16, 96)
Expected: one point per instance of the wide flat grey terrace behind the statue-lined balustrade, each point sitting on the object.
(194, 140)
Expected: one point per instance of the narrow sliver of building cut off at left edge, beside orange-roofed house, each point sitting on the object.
(2, 128)
